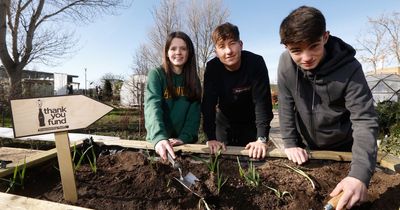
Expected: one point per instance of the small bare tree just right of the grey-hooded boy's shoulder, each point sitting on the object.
(373, 47)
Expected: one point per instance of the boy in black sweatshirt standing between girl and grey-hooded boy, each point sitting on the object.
(236, 103)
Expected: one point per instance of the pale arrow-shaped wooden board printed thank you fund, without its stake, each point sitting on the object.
(54, 114)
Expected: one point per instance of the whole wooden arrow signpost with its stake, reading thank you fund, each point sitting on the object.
(57, 115)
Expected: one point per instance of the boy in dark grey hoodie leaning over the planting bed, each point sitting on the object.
(324, 101)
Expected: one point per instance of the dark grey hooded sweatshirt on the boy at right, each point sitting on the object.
(329, 107)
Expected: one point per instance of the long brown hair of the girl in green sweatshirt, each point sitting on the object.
(191, 80)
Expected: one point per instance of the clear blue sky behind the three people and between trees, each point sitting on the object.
(109, 43)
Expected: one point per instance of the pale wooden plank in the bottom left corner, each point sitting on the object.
(12, 202)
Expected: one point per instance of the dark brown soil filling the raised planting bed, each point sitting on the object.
(133, 179)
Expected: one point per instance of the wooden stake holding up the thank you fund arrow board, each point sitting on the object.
(66, 167)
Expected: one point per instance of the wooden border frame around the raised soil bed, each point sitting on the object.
(10, 201)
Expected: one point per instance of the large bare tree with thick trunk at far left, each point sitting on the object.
(30, 30)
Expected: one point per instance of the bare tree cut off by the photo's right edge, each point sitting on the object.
(391, 23)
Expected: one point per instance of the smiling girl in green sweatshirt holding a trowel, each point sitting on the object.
(172, 100)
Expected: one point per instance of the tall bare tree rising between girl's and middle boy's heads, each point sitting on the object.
(203, 17)
